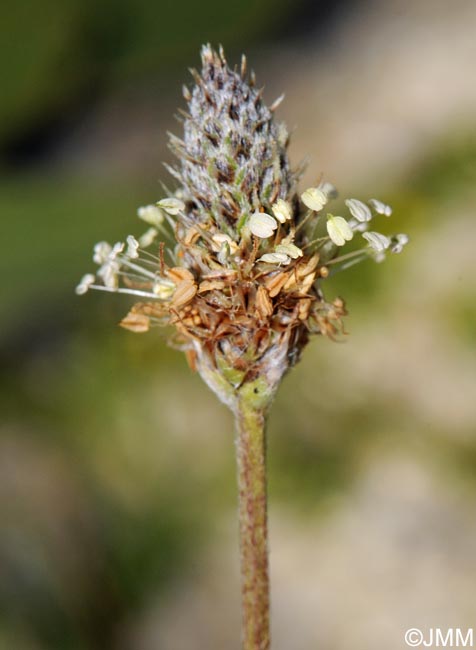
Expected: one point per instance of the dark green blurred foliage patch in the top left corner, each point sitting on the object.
(57, 56)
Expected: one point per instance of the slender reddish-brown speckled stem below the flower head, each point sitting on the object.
(251, 461)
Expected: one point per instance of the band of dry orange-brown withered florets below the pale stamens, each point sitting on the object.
(242, 317)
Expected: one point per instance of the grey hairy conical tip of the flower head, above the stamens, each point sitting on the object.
(232, 159)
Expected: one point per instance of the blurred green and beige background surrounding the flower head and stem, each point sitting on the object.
(117, 485)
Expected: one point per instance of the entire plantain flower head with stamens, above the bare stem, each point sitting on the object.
(239, 273)
